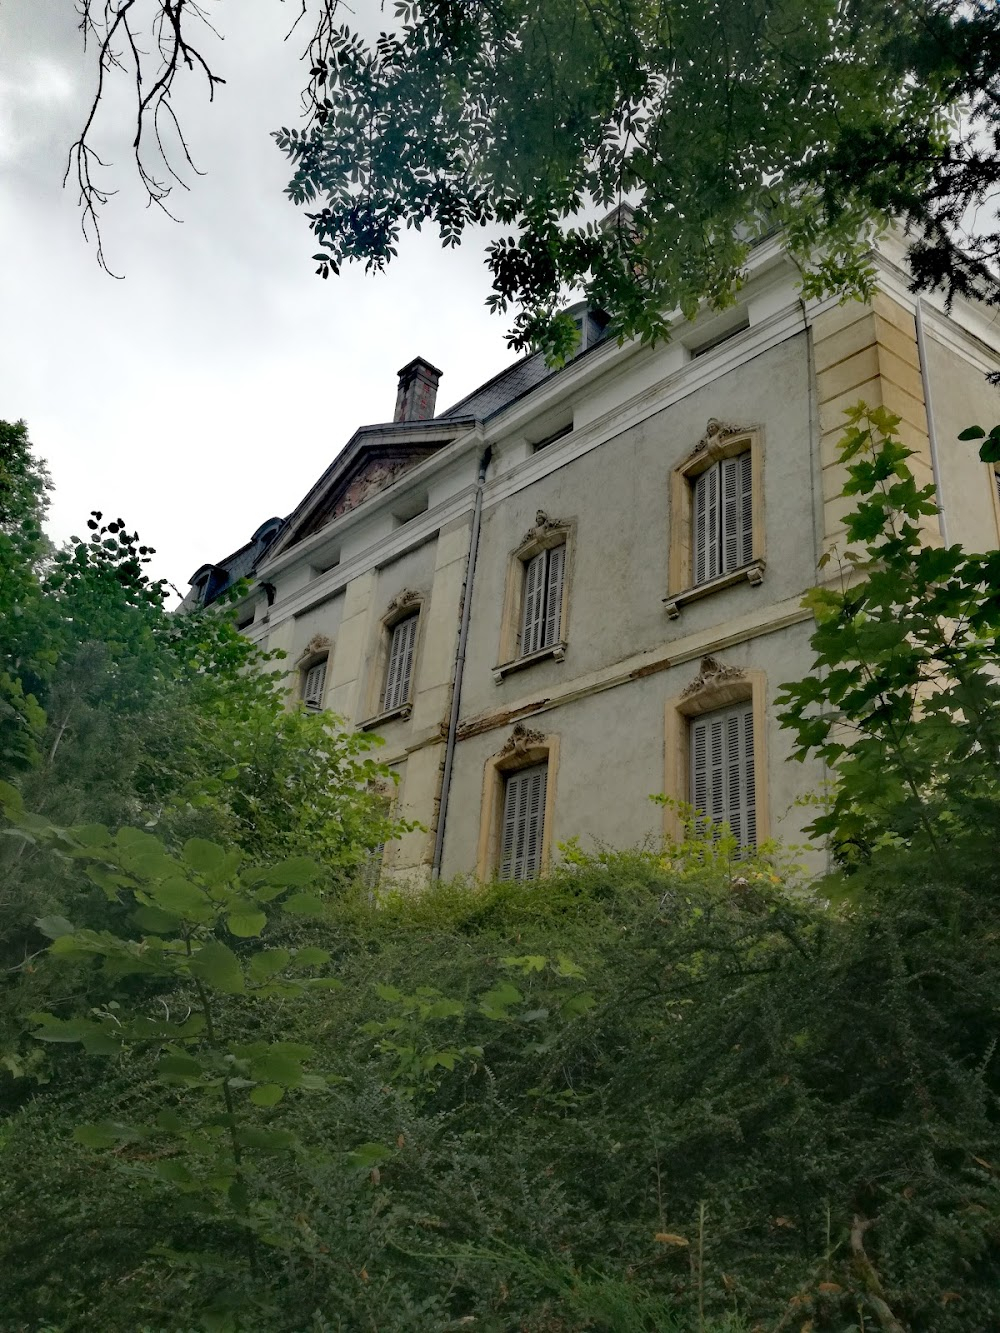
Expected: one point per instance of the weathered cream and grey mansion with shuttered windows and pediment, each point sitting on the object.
(611, 559)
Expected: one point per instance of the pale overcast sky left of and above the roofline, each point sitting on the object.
(209, 390)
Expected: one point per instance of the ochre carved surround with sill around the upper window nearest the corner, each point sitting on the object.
(722, 441)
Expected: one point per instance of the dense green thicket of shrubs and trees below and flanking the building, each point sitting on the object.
(669, 1090)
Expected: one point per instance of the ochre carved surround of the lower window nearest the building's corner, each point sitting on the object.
(715, 687)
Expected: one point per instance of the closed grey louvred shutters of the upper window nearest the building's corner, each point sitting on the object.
(723, 519)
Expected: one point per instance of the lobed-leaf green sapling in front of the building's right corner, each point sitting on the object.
(905, 702)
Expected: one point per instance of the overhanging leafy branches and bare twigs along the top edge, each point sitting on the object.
(717, 123)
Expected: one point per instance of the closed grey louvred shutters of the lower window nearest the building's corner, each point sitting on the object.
(722, 771)
